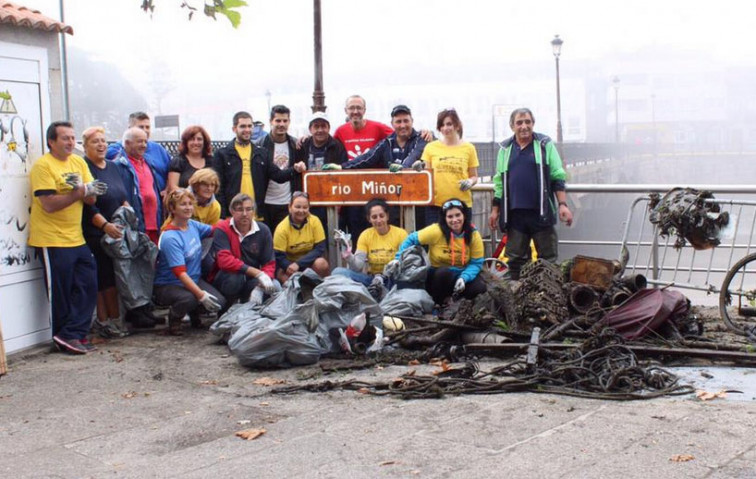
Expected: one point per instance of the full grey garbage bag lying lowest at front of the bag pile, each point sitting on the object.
(268, 343)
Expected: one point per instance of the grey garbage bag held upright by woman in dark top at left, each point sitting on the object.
(134, 258)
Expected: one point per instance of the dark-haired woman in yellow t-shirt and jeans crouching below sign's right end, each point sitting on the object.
(376, 246)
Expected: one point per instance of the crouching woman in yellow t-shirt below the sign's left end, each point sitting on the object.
(299, 241)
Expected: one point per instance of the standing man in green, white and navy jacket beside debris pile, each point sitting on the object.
(529, 177)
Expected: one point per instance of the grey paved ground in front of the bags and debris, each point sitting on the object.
(154, 406)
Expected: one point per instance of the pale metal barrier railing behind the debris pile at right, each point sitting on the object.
(650, 254)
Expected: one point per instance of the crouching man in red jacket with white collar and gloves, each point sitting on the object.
(242, 249)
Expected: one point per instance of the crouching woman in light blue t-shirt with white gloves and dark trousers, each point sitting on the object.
(177, 279)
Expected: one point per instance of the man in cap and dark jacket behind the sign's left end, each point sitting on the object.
(320, 149)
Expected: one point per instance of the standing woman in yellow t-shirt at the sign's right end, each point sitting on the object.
(454, 163)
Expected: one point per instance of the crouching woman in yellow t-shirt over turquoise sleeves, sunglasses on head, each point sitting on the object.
(455, 248)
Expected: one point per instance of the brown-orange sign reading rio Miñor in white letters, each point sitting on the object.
(357, 187)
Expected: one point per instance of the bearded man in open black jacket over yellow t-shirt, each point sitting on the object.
(245, 168)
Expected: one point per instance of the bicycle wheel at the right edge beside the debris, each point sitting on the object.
(737, 298)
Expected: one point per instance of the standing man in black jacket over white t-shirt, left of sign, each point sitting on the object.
(283, 153)
